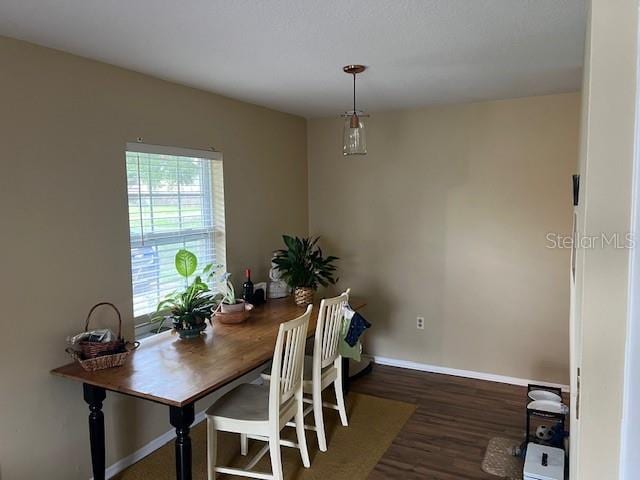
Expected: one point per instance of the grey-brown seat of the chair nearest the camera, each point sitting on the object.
(247, 402)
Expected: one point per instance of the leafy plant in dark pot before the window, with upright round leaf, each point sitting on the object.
(189, 309)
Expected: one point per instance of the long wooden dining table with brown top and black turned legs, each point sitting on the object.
(177, 373)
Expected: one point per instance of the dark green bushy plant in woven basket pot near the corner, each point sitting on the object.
(304, 268)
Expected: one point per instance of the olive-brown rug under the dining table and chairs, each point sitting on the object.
(353, 451)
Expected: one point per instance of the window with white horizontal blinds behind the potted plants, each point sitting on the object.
(176, 200)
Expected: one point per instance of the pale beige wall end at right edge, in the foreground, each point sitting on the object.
(607, 164)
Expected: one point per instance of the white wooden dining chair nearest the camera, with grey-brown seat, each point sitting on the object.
(261, 411)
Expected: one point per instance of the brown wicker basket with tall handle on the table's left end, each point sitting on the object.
(100, 349)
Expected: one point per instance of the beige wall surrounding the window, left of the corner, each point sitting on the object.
(64, 239)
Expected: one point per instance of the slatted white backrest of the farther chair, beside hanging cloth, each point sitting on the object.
(325, 348)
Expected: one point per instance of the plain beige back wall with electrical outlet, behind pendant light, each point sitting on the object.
(446, 218)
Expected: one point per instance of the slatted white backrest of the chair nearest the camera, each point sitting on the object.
(288, 361)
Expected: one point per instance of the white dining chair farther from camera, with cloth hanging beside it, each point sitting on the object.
(324, 368)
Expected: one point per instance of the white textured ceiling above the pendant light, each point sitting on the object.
(288, 54)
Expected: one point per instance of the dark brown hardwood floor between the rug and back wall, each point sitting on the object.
(446, 437)
